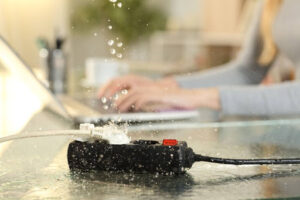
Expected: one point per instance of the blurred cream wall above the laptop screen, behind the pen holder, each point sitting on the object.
(23, 21)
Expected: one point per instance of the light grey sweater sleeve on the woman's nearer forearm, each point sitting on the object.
(279, 99)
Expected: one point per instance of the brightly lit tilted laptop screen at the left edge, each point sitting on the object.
(22, 95)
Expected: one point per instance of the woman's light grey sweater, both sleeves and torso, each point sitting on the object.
(238, 80)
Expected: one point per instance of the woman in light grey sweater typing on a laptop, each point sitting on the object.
(233, 88)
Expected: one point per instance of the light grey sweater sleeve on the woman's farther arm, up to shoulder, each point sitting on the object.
(244, 70)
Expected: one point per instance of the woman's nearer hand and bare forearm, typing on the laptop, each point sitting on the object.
(156, 98)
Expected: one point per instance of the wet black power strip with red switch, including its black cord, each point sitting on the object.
(140, 156)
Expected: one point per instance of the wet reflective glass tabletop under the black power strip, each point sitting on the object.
(37, 168)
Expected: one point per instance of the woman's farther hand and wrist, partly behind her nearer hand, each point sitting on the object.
(130, 82)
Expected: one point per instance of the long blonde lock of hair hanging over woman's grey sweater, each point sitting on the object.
(269, 48)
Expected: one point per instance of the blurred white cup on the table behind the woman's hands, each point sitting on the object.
(99, 70)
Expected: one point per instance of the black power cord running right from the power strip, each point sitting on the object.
(275, 161)
